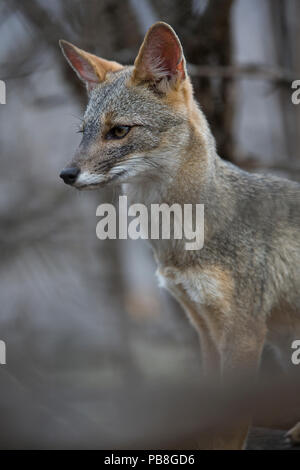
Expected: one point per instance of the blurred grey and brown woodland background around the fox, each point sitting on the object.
(97, 355)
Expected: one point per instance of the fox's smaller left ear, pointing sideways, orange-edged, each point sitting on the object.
(89, 68)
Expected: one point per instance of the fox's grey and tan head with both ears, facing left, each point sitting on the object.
(138, 117)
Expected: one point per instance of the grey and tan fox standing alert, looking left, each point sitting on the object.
(144, 131)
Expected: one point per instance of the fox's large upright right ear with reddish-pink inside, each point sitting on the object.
(160, 59)
